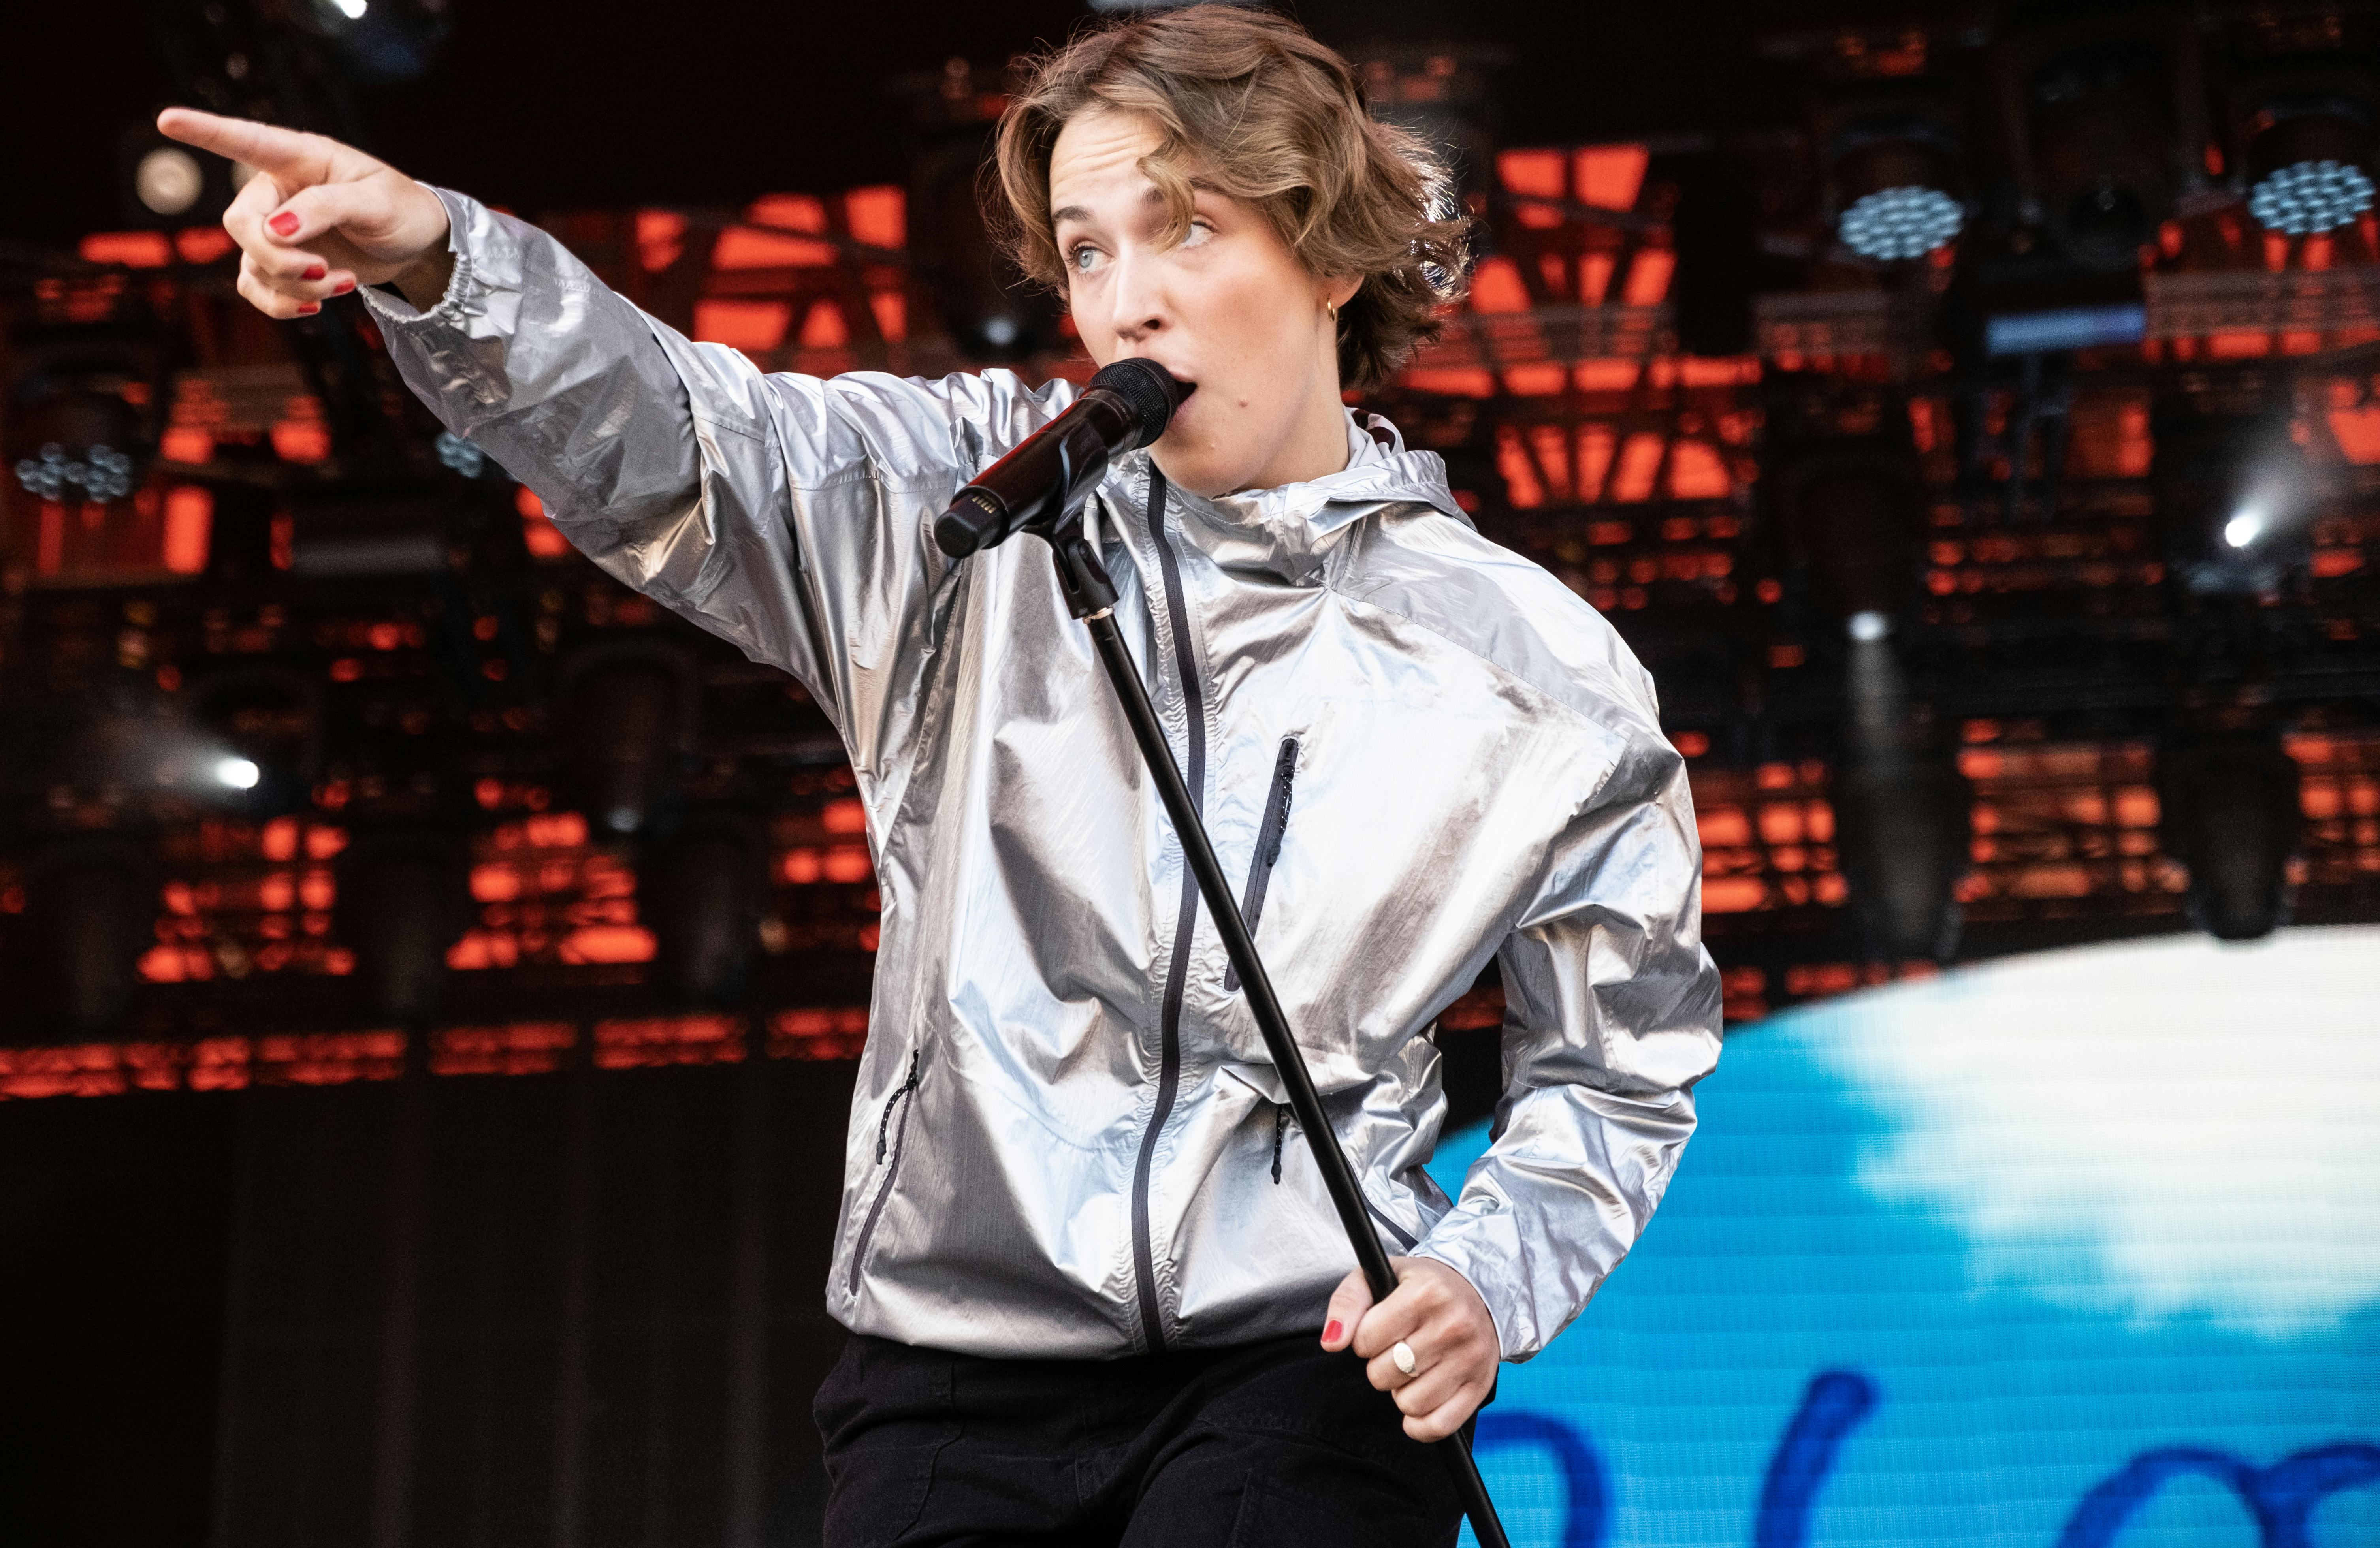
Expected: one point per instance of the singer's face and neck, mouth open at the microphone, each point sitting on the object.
(1229, 308)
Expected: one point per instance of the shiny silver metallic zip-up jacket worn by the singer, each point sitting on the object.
(1420, 750)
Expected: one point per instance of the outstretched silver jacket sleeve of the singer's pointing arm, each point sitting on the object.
(789, 515)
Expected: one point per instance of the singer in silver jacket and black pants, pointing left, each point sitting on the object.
(1096, 1288)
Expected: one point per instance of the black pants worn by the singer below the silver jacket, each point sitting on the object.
(1260, 1447)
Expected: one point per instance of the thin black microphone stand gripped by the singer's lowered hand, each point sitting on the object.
(1091, 598)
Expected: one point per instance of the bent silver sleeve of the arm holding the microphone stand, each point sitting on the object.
(1610, 1019)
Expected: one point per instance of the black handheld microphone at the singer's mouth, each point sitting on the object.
(1125, 408)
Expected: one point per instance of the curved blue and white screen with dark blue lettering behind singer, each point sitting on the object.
(2062, 1252)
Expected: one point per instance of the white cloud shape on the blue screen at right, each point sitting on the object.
(2160, 1128)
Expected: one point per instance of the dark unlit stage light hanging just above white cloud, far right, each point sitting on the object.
(2231, 814)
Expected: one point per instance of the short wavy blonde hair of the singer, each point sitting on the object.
(1263, 113)
